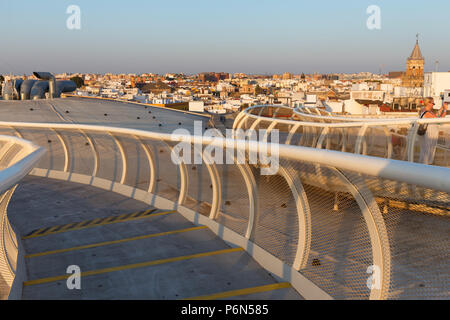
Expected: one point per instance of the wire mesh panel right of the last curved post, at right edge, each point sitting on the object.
(418, 224)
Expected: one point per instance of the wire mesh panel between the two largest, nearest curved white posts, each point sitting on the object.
(341, 250)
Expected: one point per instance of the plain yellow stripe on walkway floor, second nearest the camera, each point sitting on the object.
(132, 266)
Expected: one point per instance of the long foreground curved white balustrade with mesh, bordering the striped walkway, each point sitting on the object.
(324, 221)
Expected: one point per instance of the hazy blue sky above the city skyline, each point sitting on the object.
(252, 36)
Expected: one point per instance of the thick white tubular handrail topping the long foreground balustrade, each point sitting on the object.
(414, 173)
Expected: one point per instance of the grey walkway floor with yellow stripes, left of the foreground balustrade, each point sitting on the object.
(126, 250)
